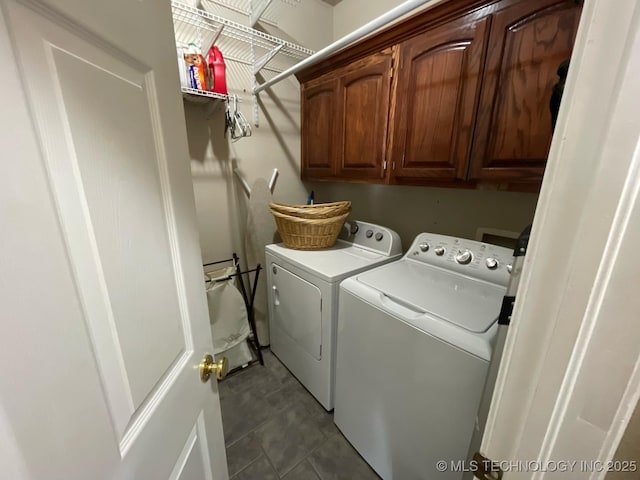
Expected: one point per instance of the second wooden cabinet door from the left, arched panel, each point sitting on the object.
(363, 118)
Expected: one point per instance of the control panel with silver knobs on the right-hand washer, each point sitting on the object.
(469, 257)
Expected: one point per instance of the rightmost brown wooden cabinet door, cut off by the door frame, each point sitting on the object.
(528, 42)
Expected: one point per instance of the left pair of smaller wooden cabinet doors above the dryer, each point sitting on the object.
(345, 121)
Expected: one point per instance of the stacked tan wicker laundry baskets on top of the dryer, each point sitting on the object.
(307, 227)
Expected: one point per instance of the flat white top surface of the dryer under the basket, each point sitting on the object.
(331, 264)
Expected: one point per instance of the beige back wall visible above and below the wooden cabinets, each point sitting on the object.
(411, 210)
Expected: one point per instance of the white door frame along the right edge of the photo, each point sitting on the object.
(560, 347)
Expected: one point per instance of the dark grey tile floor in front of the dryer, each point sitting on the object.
(274, 429)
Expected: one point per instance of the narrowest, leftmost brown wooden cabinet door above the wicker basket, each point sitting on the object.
(319, 132)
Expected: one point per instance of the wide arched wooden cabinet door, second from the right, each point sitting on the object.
(438, 86)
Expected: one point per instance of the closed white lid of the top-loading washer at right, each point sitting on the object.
(471, 304)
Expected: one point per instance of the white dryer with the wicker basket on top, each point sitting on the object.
(303, 299)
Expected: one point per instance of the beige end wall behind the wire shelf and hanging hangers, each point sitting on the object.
(220, 201)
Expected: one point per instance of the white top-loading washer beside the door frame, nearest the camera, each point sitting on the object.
(414, 343)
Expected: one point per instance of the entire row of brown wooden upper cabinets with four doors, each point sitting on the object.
(467, 106)
